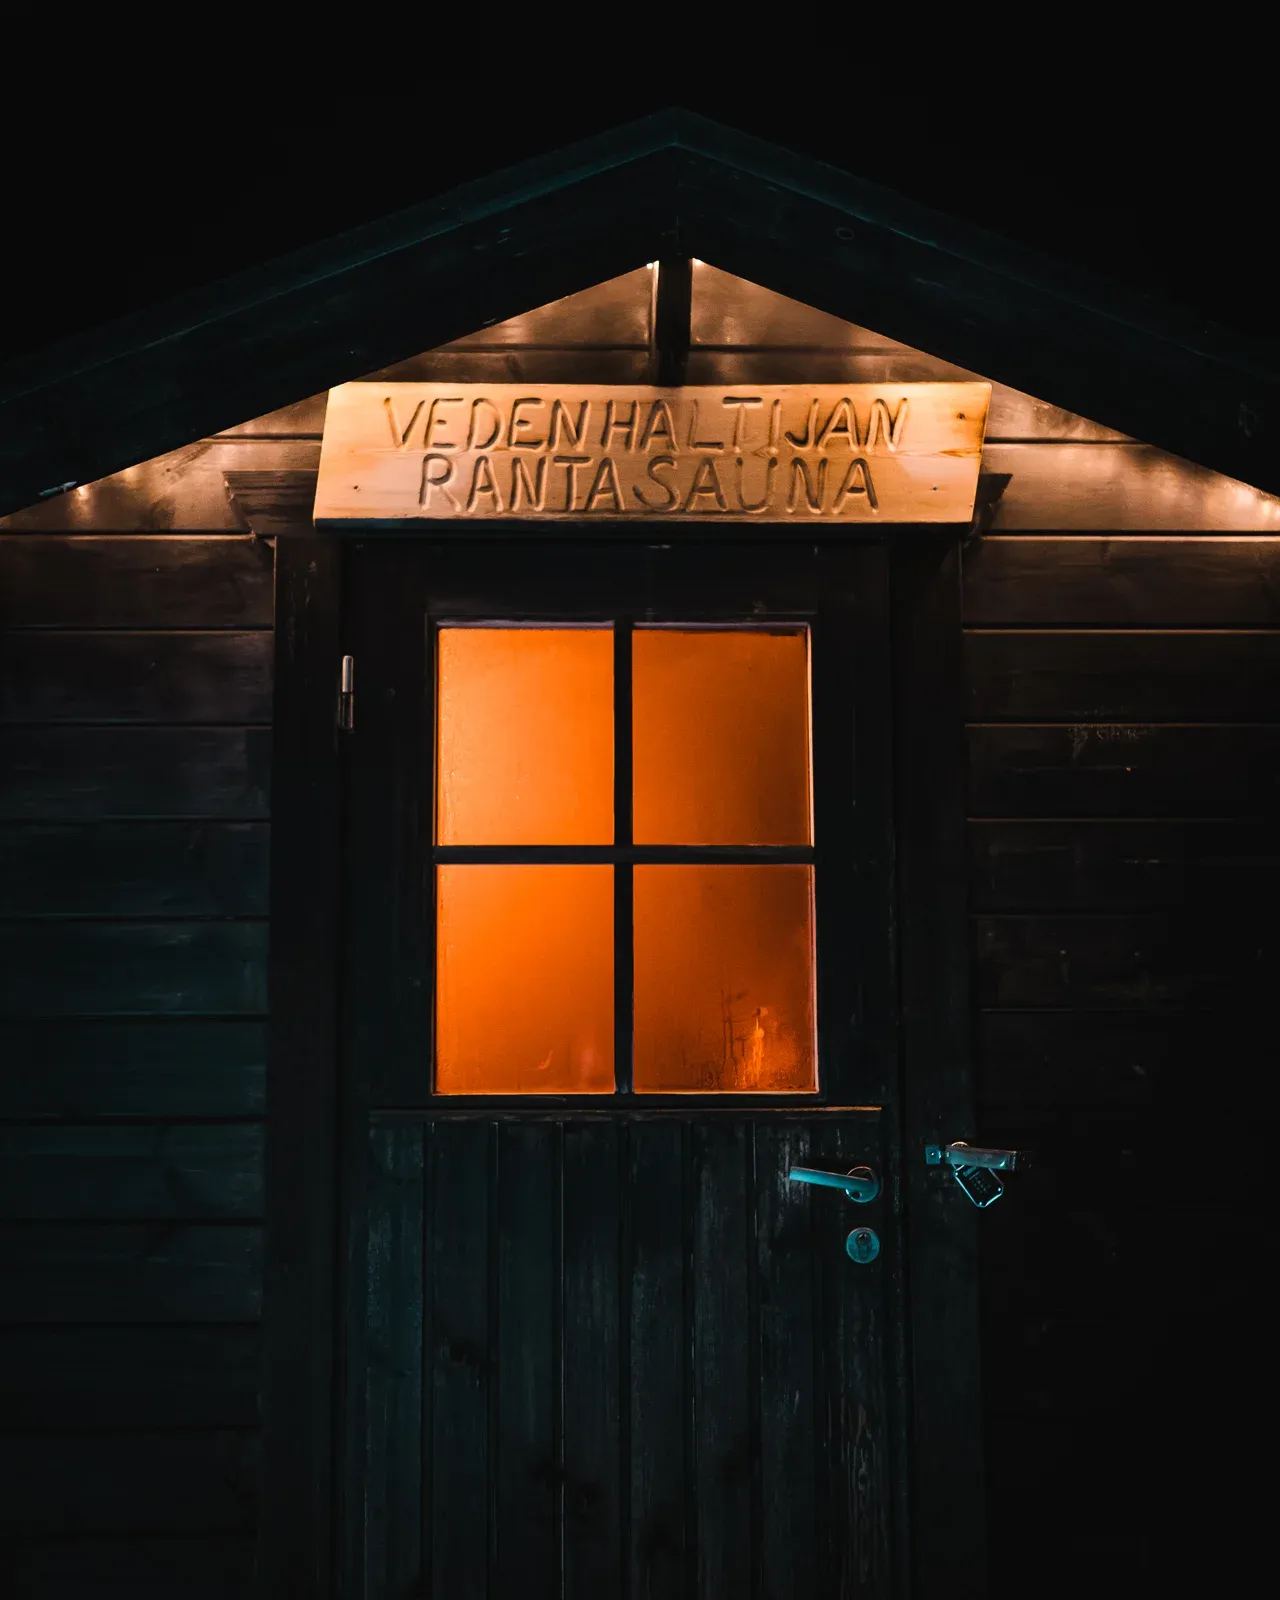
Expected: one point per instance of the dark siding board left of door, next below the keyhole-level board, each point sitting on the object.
(129, 1378)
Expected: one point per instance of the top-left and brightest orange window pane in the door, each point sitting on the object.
(524, 737)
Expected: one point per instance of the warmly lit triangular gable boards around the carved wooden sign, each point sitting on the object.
(1054, 468)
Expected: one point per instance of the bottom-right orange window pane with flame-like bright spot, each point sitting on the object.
(724, 978)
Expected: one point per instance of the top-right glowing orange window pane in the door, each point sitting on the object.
(721, 737)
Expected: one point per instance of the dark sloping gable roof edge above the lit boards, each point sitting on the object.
(670, 185)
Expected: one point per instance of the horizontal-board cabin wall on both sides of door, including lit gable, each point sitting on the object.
(1124, 782)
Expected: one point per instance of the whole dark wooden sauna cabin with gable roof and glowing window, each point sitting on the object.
(441, 934)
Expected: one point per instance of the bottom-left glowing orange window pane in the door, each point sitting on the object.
(524, 999)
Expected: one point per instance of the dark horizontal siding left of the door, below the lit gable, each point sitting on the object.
(135, 681)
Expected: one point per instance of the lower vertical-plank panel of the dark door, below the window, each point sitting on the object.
(647, 1364)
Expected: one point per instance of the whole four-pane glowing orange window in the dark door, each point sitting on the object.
(724, 953)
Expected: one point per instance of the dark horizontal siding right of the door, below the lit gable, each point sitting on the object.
(1124, 702)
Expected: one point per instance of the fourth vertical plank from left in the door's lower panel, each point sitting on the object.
(591, 1362)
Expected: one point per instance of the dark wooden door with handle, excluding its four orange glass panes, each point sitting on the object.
(602, 1345)
